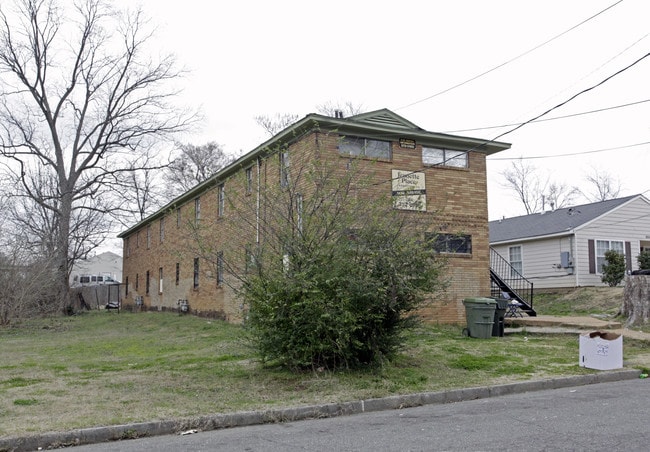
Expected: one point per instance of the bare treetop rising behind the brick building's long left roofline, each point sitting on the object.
(195, 164)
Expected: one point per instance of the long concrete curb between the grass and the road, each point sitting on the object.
(219, 421)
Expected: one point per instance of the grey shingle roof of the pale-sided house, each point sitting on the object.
(557, 222)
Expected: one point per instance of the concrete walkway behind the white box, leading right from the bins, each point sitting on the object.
(569, 324)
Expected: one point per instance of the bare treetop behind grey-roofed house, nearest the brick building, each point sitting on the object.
(535, 192)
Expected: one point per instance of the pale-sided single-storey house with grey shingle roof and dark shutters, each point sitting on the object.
(565, 248)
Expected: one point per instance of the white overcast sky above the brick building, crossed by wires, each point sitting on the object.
(248, 58)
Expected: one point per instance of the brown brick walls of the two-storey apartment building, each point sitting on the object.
(456, 202)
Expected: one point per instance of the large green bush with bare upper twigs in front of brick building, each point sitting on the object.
(336, 281)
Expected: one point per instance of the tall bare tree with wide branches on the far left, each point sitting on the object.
(79, 98)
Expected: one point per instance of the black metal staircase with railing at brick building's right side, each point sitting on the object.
(505, 279)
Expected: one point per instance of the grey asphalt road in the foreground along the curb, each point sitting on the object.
(606, 416)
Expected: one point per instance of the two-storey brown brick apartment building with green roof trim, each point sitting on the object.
(191, 248)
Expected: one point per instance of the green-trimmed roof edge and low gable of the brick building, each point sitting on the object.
(383, 123)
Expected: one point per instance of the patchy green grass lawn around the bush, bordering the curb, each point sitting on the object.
(105, 368)
